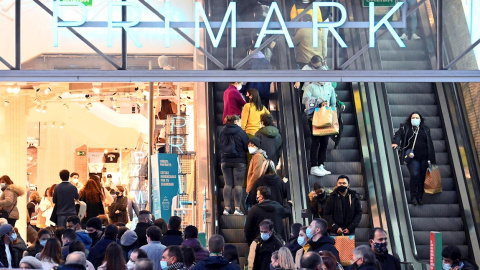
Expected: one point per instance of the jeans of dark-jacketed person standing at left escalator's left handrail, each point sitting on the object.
(233, 174)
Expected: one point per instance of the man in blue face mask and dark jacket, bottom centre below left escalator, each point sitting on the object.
(259, 257)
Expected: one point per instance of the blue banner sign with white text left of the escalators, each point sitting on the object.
(166, 181)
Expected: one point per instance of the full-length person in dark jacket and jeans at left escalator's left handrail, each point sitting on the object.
(233, 142)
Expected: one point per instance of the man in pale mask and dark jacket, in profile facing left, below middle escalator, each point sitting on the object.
(319, 238)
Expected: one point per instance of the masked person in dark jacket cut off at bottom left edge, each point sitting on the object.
(9, 257)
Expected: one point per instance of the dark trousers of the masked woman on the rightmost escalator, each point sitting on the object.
(418, 170)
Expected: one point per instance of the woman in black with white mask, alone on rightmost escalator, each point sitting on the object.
(415, 135)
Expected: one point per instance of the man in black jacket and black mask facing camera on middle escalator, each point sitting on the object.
(343, 209)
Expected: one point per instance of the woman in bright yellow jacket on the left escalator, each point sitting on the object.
(252, 112)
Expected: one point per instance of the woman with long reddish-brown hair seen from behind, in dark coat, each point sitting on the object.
(93, 197)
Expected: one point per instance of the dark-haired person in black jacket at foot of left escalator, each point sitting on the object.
(265, 209)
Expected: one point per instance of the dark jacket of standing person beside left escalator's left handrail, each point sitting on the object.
(240, 138)
